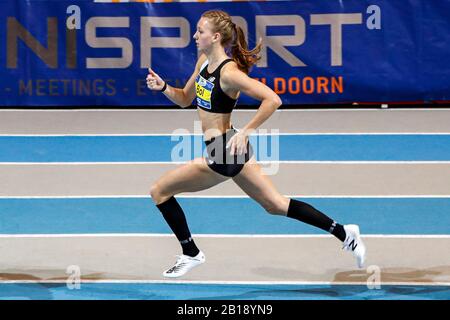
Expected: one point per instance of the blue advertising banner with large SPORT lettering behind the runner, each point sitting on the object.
(82, 53)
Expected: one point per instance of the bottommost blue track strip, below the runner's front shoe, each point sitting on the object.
(146, 291)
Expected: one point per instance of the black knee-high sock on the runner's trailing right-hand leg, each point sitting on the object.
(306, 213)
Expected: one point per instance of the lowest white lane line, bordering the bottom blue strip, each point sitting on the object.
(209, 282)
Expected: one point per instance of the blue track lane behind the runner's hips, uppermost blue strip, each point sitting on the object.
(291, 147)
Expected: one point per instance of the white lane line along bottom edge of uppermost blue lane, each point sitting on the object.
(412, 162)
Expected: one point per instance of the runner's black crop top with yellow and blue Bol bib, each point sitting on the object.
(210, 96)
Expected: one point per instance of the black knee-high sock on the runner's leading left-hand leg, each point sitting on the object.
(175, 218)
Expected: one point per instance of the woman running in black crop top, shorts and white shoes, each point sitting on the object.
(216, 83)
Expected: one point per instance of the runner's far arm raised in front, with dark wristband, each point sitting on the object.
(182, 97)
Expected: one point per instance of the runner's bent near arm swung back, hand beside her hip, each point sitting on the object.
(270, 101)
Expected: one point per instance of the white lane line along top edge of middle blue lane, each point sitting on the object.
(388, 196)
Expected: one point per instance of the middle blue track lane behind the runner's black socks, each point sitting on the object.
(219, 216)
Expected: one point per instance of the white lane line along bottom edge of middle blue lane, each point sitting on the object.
(253, 236)
